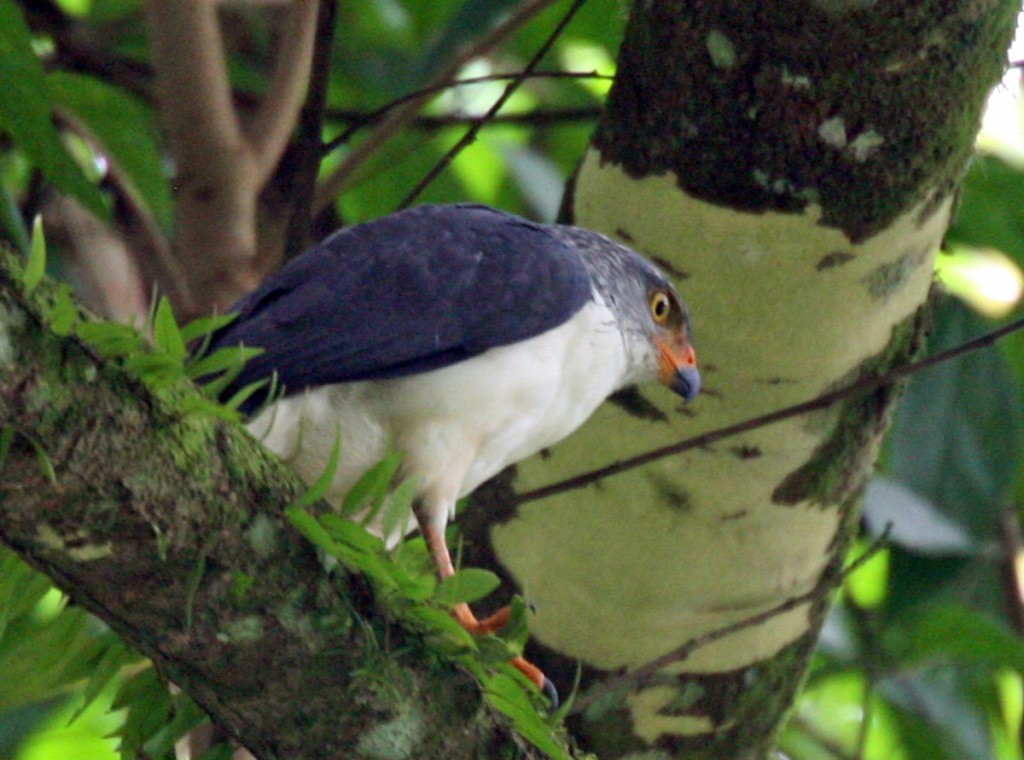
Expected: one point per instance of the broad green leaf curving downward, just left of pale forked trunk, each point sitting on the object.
(124, 129)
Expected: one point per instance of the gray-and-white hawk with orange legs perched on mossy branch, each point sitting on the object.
(464, 337)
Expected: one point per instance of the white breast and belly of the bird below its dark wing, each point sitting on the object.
(461, 425)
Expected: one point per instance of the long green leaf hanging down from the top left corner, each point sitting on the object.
(26, 112)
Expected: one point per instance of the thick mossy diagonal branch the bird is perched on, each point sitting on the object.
(156, 521)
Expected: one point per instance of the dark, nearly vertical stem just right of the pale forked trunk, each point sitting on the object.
(308, 152)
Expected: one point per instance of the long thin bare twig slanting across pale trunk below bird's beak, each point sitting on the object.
(865, 386)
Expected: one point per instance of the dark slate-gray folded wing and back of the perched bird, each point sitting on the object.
(407, 293)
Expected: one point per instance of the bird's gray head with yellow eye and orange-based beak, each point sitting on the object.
(650, 312)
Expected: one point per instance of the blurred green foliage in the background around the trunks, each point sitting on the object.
(923, 655)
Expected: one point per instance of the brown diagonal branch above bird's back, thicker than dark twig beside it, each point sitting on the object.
(344, 176)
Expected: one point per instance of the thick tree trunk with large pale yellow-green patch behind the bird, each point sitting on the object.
(794, 166)
